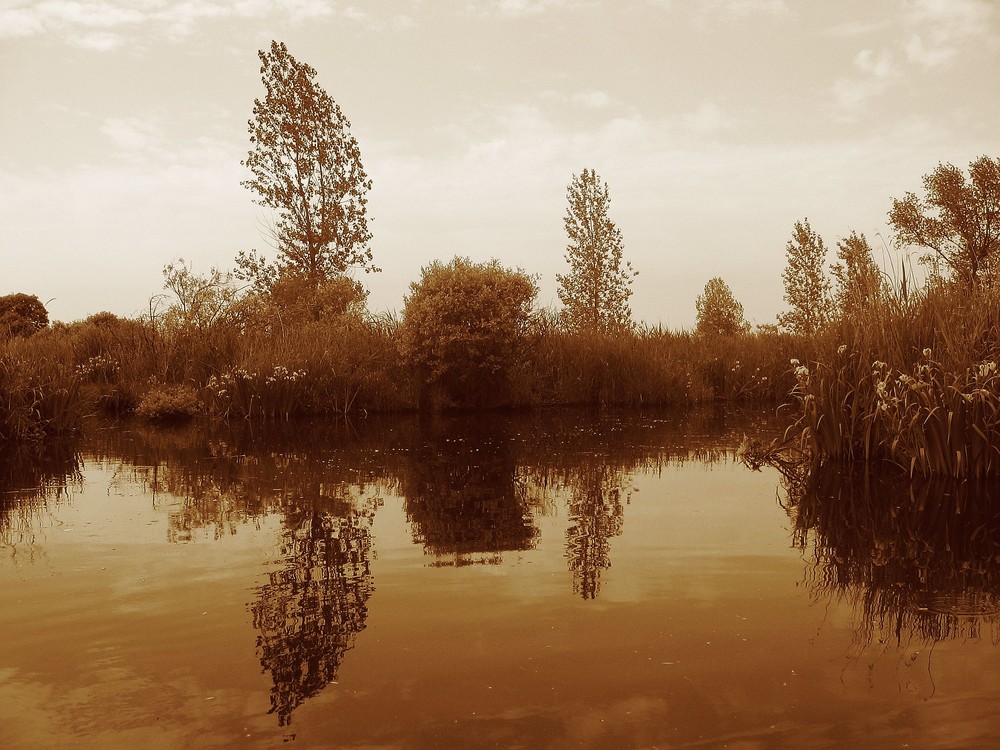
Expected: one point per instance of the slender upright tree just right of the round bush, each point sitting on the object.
(596, 290)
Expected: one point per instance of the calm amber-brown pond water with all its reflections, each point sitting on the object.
(548, 580)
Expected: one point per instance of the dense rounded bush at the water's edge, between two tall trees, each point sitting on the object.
(464, 325)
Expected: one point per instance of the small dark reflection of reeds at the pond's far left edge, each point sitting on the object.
(30, 483)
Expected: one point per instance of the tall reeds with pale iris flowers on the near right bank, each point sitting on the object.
(913, 385)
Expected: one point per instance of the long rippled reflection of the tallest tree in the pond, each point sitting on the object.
(312, 608)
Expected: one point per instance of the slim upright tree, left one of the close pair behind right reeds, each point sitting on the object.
(807, 289)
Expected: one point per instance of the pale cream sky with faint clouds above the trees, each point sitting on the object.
(717, 124)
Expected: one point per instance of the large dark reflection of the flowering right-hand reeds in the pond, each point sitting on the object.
(917, 559)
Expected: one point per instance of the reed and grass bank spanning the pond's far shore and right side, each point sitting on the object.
(906, 383)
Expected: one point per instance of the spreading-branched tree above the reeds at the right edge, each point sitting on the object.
(958, 220)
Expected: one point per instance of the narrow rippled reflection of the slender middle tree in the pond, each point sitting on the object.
(595, 516)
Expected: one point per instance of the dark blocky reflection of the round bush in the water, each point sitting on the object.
(463, 494)
